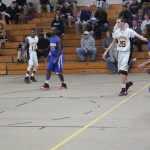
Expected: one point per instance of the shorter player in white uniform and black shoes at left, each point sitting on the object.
(31, 45)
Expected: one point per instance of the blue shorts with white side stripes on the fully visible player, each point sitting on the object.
(58, 67)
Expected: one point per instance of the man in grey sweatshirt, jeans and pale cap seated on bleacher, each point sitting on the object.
(87, 47)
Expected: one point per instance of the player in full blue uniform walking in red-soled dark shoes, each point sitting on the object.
(55, 58)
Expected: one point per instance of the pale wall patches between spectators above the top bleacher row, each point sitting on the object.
(80, 2)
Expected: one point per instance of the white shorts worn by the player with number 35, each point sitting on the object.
(123, 60)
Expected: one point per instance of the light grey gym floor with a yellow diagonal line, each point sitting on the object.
(89, 115)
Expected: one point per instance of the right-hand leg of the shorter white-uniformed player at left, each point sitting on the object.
(35, 64)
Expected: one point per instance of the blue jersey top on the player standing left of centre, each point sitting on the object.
(54, 46)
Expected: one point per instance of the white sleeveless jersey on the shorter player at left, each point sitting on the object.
(33, 43)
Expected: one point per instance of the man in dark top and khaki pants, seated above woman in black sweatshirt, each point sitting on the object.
(66, 14)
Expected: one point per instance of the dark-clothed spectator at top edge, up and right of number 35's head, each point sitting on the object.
(134, 7)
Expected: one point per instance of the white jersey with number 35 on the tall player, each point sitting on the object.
(123, 37)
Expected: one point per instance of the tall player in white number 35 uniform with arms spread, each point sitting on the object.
(122, 36)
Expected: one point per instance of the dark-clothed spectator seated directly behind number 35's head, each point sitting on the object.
(126, 14)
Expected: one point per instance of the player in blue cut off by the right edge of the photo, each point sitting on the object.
(147, 35)
